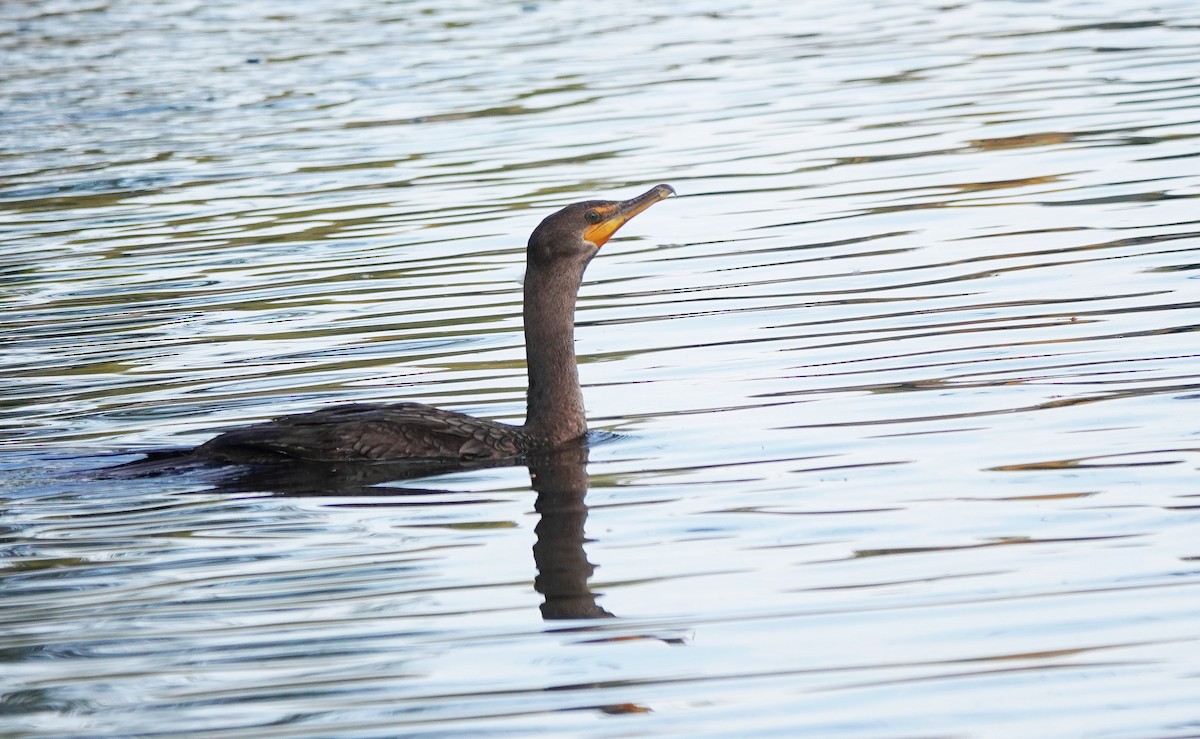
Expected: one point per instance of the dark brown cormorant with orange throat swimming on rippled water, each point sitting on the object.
(430, 440)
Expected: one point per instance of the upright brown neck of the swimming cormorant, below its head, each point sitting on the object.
(556, 404)
